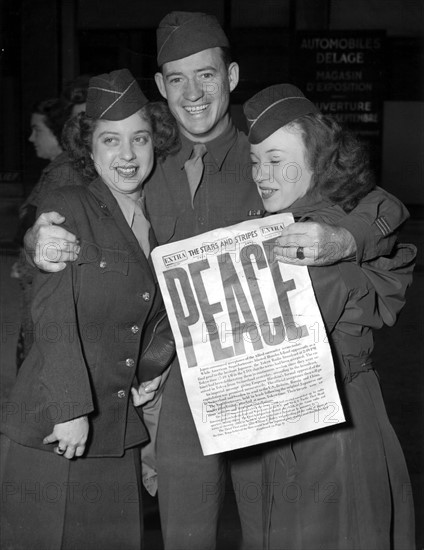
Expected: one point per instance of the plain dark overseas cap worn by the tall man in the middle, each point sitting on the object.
(184, 33)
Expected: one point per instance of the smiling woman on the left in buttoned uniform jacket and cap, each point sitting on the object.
(75, 426)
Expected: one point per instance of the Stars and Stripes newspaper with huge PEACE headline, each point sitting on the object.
(254, 356)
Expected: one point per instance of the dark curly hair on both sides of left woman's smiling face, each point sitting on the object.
(78, 136)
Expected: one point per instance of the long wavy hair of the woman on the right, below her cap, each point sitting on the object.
(338, 160)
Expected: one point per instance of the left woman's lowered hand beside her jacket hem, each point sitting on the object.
(71, 437)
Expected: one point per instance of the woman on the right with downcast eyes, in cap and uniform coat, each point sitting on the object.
(347, 486)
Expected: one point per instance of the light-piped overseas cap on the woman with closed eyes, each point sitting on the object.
(274, 107)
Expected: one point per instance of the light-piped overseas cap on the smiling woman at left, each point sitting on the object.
(114, 96)
